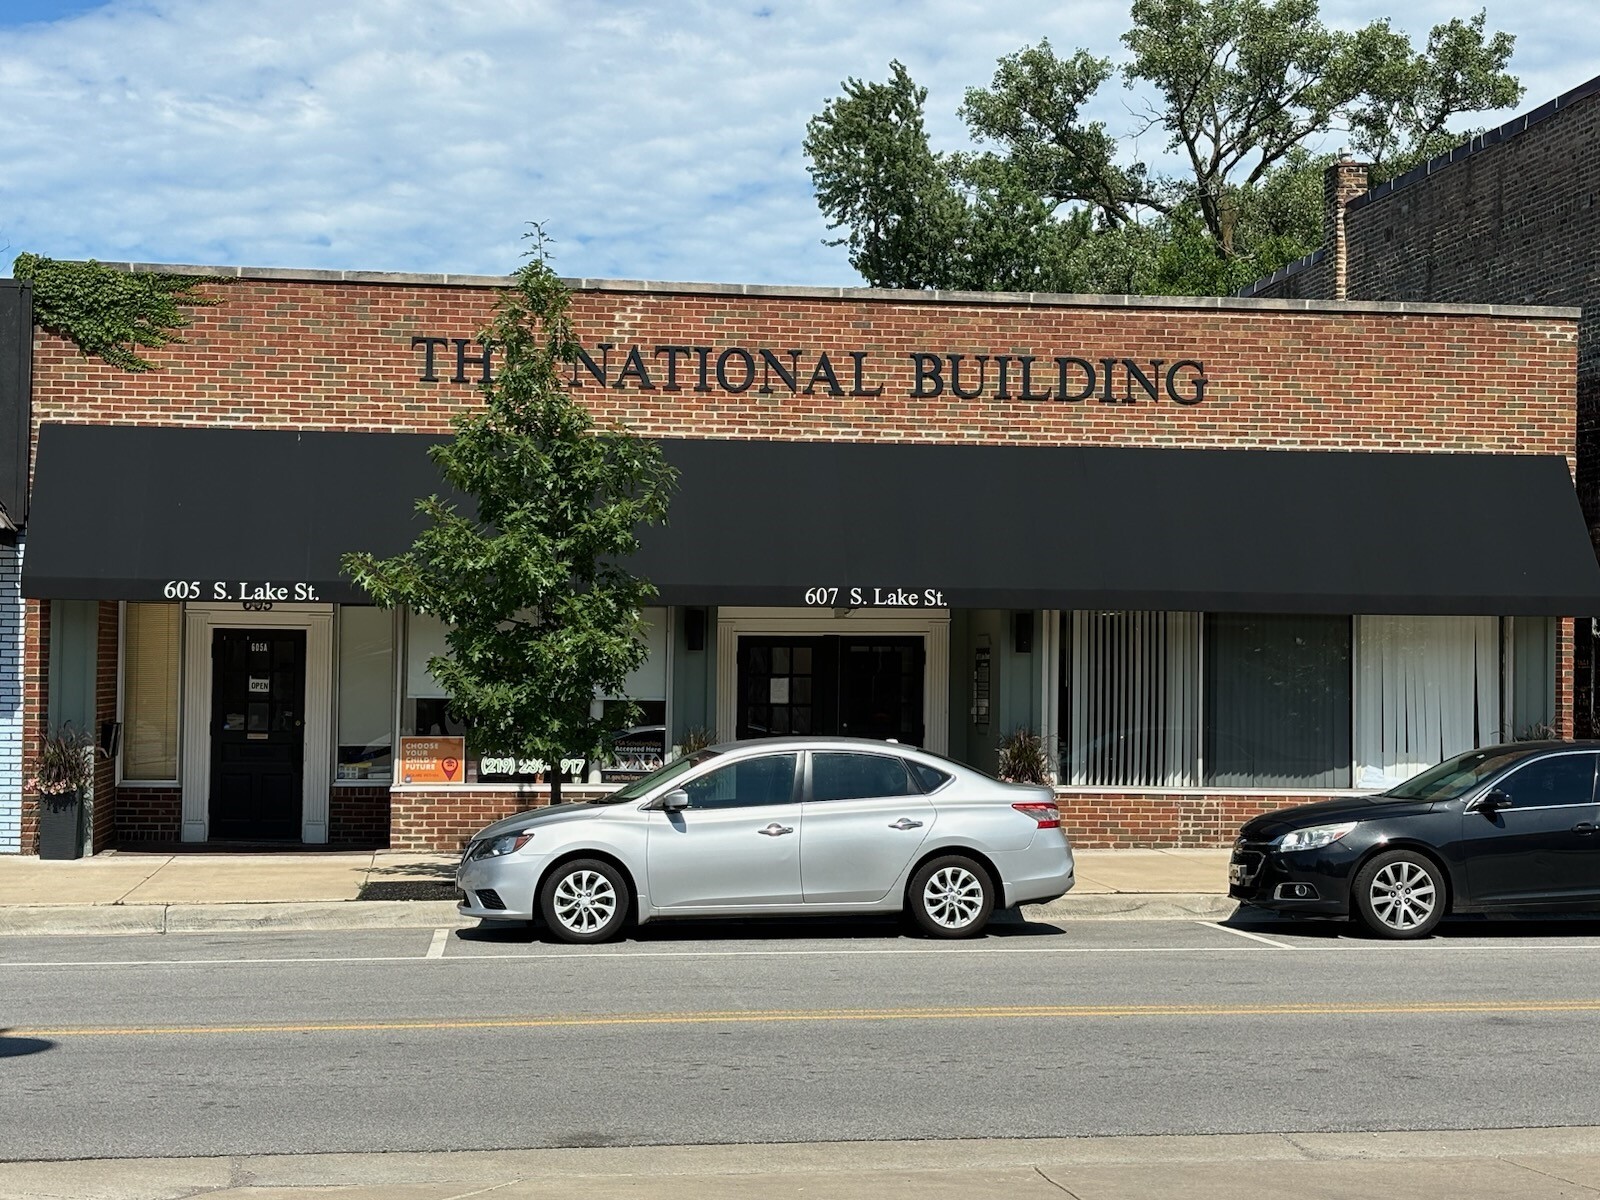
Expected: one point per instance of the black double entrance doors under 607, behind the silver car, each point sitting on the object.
(857, 687)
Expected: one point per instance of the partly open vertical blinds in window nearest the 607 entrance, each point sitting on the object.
(1134, 702)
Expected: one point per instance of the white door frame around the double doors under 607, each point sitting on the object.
(932, 625)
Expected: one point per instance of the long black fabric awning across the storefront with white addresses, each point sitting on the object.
(121, 513)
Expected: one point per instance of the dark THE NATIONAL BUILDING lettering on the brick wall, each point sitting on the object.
(1062, 378)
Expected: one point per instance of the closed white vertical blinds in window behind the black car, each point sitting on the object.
(1426, 687)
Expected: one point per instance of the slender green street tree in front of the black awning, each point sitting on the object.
(543, 615)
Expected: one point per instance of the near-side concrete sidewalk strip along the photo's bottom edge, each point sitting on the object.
(1463, 1166)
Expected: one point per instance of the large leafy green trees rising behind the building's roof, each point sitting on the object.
(1246, 94)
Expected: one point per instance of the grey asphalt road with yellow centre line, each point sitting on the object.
(420, 1041)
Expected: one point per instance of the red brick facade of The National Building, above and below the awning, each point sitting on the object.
(321, 351)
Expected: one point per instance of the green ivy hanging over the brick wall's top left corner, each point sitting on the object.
(110, 314)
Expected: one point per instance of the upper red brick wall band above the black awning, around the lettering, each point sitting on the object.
(338, 356)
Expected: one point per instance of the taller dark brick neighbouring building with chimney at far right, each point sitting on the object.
(1511, 217)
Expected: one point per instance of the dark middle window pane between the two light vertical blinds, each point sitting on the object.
(1278, 702)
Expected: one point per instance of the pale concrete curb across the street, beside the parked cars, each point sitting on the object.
(335, 916)
